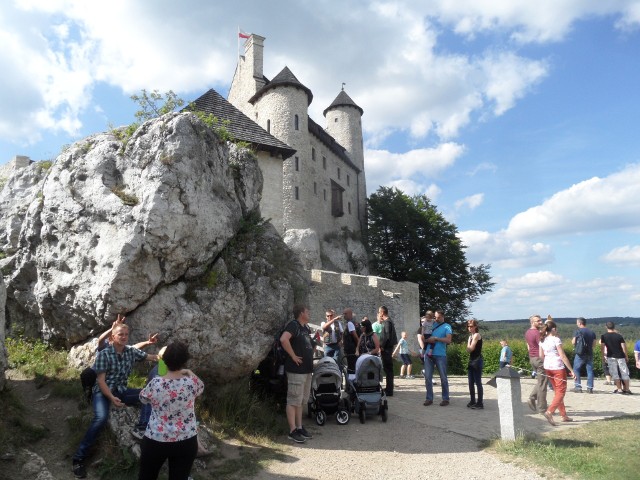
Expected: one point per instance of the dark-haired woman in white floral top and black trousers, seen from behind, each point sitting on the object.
(172, 430)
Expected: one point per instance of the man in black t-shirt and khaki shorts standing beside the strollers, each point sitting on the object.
(296, 341)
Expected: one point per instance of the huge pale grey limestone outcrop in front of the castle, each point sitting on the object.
(167, 231)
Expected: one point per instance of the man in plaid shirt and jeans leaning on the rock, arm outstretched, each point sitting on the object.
(113, 367)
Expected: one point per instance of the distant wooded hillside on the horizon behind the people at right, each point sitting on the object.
(629, 328)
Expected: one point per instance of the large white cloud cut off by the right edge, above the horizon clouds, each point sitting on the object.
(596, 204)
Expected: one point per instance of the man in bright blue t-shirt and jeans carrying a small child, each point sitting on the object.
(437, 357)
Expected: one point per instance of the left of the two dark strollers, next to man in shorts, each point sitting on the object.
(326, 393)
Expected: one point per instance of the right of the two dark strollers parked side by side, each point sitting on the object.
(365, 392)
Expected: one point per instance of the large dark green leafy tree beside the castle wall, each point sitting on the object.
(409, 240)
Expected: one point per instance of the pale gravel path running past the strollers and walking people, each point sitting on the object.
(432, 442)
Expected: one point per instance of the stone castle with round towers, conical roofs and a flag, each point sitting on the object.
(314, 180)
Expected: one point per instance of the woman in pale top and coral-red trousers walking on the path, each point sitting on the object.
(555, 361)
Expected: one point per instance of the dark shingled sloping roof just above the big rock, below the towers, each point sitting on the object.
(240, 126)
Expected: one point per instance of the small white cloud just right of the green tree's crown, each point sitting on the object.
(503, 252)
